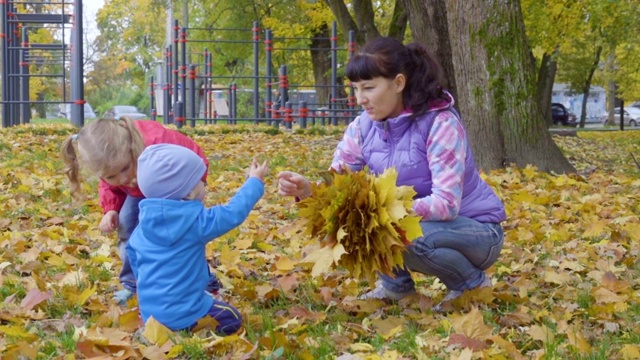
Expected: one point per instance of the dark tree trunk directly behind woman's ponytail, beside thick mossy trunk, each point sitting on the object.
(428, 23)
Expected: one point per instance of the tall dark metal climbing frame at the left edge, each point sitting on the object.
(18, 54)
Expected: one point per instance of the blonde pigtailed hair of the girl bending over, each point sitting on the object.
(103, 146)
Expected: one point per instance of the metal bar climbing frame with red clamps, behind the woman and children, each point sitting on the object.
(199, 84)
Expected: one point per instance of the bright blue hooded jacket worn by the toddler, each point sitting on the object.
(167, 253)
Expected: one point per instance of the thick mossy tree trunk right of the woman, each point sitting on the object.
(496, 87)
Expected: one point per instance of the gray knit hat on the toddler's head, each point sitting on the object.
(167, 171)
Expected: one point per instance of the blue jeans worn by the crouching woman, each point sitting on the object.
(456, 252)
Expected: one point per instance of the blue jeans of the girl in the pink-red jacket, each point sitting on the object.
(127, 222)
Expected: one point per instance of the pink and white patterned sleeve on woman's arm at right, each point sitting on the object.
(446, 155)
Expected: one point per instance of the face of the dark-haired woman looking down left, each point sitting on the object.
(381, 98)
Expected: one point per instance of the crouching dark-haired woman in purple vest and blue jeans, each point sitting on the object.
(409, 123)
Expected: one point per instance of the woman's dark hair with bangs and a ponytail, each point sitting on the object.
(387, 57)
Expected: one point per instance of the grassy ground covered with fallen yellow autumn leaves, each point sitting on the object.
(566, 286)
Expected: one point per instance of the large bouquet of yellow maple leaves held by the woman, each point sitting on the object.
(363, 223)
